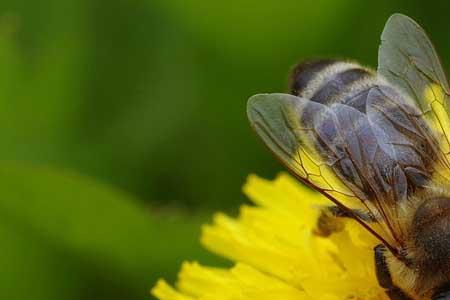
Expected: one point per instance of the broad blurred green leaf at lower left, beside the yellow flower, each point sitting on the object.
(64, 236)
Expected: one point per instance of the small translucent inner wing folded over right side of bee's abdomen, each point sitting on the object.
(403, 134)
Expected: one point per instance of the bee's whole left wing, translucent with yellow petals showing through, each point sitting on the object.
(332, 149)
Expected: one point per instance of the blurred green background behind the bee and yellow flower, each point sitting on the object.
(123, 126)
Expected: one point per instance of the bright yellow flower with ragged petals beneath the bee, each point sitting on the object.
(277, 254)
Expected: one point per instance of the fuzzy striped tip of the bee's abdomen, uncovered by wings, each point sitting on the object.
(330, 81)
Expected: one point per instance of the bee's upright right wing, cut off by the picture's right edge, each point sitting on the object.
(408, 60)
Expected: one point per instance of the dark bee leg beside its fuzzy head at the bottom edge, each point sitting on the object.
(384, 275)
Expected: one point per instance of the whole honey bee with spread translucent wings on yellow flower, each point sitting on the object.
(377, 144)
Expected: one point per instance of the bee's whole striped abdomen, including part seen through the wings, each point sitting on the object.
(336, 82)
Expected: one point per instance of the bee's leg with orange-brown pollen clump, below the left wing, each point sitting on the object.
(330, 219)
